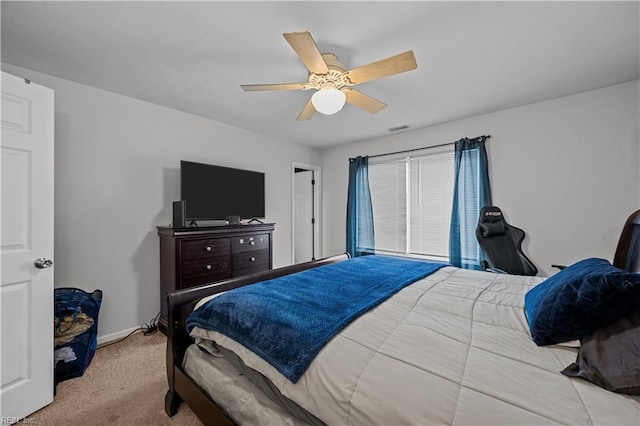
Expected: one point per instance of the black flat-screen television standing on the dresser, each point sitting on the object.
(215, 192)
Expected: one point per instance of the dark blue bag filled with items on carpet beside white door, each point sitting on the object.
(75, 330)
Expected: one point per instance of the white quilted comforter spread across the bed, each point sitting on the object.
(453, 348)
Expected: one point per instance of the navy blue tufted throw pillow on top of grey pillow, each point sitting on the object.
(580, 299)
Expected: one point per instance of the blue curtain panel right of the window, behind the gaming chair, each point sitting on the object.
(471, 192)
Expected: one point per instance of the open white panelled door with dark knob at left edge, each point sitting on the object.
(26, 291)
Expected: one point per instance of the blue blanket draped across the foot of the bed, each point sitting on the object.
(288, 320)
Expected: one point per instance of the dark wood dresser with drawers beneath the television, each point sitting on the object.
(195, 256)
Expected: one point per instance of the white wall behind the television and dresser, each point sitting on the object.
(117, 165)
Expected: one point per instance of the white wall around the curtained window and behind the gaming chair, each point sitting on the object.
(565, 171)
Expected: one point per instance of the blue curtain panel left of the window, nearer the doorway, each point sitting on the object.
(360, 239)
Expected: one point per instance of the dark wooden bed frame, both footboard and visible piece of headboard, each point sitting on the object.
(181, 303)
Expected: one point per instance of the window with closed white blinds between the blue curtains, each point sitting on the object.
(412, 199)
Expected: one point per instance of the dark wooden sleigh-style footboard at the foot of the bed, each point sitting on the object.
(179, 305)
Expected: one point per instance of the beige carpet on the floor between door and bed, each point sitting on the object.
(124, 385)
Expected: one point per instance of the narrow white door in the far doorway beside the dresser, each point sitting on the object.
(303, 212)
